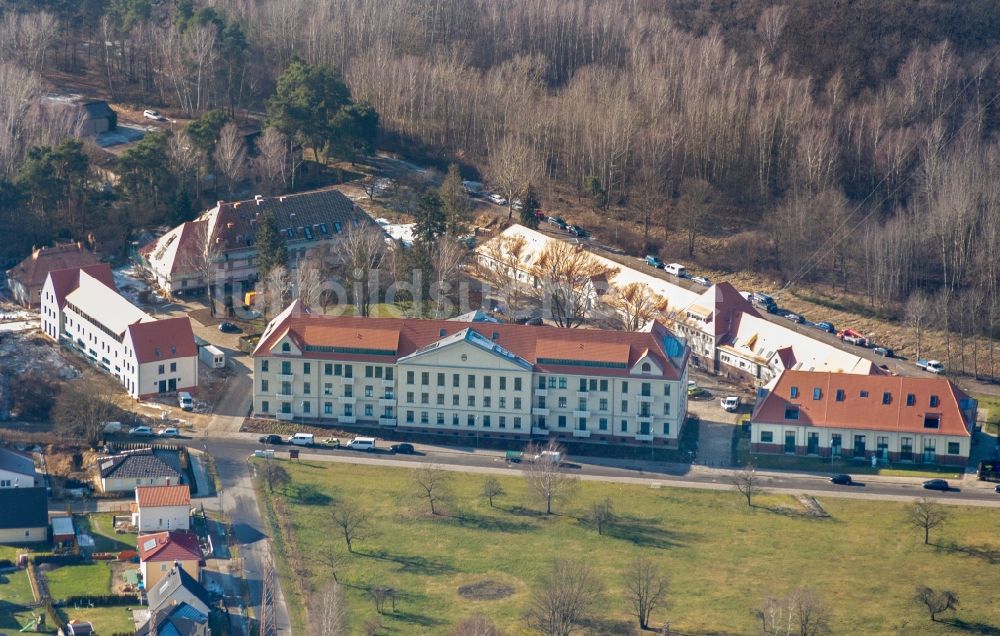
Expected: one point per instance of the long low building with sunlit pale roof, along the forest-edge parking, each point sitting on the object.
(726, 335)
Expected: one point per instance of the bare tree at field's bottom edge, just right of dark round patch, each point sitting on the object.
(564, 598)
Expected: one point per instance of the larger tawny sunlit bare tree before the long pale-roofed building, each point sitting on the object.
(568, 278)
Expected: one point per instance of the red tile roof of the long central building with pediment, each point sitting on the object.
(548, 349)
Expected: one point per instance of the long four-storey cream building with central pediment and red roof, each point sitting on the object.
(489, 380)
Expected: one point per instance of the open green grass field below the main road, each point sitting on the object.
(722, 559)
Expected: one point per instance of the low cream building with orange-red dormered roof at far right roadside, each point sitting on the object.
(891, 418)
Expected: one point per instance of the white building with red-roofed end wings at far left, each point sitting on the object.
(82, 309)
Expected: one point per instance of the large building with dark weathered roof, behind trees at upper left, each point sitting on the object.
(225, 235)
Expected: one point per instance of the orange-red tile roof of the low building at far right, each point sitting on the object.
(886, 405)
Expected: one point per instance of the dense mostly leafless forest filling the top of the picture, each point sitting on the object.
(850, 143)
